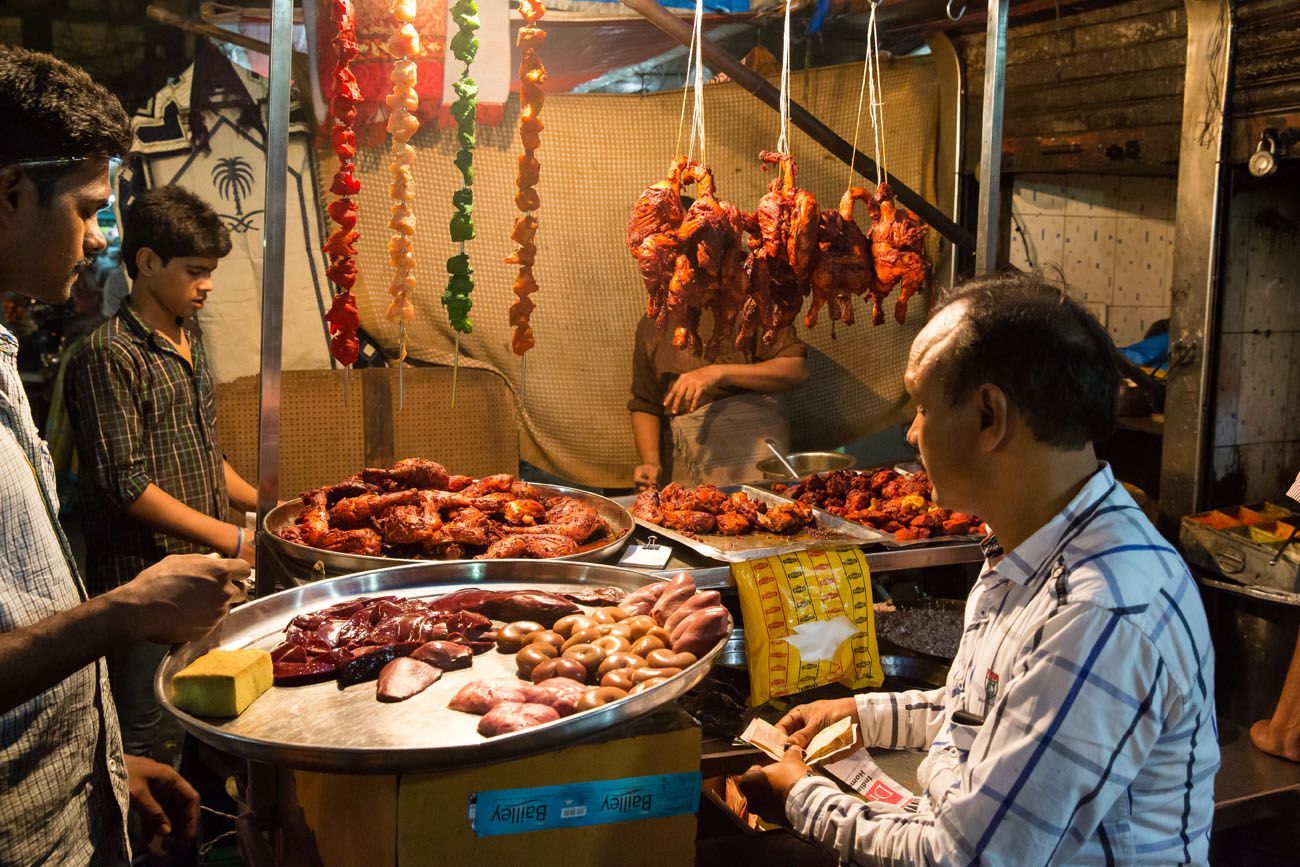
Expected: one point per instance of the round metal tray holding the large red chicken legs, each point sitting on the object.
(618, 519)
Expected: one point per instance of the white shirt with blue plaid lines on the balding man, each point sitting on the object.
(1089, 657)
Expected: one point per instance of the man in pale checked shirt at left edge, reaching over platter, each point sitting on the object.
(64, 782)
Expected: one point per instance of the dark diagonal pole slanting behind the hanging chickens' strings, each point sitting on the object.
(717, 58)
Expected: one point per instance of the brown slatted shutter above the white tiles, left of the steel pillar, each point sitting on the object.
(1097, 92)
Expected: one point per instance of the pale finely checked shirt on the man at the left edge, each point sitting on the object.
(63, 783)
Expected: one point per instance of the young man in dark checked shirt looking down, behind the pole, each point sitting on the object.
(144, 409)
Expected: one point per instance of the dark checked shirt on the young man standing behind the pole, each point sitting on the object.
(142, 415)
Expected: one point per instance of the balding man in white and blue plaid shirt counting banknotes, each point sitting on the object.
(1078, 719)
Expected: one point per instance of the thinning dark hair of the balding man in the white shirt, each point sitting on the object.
(1051, 358)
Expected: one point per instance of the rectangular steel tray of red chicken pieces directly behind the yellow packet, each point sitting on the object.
(831, 531)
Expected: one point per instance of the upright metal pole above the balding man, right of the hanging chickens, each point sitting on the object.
(991, 145)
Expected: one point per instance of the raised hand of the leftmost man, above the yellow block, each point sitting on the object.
(181, 599)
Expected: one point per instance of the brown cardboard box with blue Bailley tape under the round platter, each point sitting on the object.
(424, 820)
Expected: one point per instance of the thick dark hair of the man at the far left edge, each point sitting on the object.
(54, 111)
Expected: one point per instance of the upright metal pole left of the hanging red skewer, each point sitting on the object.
(274, 267)
